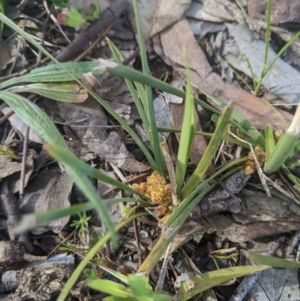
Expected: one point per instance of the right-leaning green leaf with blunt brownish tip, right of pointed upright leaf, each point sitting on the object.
(209, 152)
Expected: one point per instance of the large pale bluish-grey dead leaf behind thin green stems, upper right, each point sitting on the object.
(281, 80)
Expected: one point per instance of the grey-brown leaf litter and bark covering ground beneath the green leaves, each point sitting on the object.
(259, 222)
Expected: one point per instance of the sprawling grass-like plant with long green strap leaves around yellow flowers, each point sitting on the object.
(189, 194)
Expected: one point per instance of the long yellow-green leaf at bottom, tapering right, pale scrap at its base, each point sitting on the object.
(198, 284)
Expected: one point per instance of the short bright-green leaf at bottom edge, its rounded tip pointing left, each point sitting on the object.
(110, 287)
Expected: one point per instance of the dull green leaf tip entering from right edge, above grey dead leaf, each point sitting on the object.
(272, 261)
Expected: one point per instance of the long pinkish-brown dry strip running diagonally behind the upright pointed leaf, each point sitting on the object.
(173, 41)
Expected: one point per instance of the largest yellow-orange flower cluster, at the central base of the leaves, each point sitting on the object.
(158, 191)
